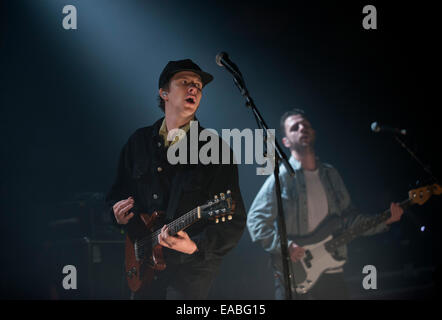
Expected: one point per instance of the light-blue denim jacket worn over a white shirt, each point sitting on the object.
(262, 216)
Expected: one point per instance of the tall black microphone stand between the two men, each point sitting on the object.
(279, 156)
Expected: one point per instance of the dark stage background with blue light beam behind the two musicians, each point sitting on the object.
(71, 98)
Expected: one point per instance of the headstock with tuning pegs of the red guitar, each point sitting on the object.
(219, 208)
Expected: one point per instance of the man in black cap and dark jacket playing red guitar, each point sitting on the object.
(147, 182)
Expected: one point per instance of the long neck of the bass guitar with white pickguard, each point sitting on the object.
(361, 228)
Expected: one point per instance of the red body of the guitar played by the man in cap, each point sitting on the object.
(140, 272)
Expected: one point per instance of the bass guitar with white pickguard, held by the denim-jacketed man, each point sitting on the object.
(320, 246)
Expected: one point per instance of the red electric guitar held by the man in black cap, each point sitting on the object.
(143, 253)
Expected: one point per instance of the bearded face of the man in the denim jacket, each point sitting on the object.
(299, 133)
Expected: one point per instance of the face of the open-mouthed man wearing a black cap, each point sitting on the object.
(184, 95)
